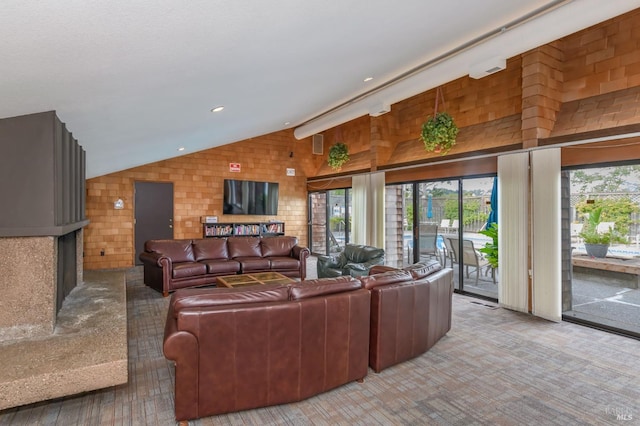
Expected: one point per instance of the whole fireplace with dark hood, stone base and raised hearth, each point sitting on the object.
(61, 333)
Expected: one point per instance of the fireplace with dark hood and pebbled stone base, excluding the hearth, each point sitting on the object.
(42, 184)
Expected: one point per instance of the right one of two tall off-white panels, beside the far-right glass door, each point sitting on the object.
(546, 241)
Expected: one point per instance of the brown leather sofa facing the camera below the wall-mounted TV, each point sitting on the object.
(173, 264)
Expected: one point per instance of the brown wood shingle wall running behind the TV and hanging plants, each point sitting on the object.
(508, 110)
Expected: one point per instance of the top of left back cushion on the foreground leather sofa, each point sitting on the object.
(202, 297)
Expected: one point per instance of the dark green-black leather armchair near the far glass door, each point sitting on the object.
(355, 260)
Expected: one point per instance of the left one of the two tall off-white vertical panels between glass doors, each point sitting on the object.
(513, 225)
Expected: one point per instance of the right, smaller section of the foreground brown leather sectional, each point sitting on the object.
(410, 311)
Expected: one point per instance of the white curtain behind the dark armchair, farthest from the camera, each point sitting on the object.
(368, 209)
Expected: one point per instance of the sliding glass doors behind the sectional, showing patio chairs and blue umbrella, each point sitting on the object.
(445, 220)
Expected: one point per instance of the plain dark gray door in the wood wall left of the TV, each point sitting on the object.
(153, 213)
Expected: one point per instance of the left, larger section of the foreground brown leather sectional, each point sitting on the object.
(237, 349)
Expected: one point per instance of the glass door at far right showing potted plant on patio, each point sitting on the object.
(602, 239)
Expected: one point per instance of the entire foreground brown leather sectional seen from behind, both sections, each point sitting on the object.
(236, 349)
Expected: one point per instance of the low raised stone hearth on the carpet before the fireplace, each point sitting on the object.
(86, 350)
